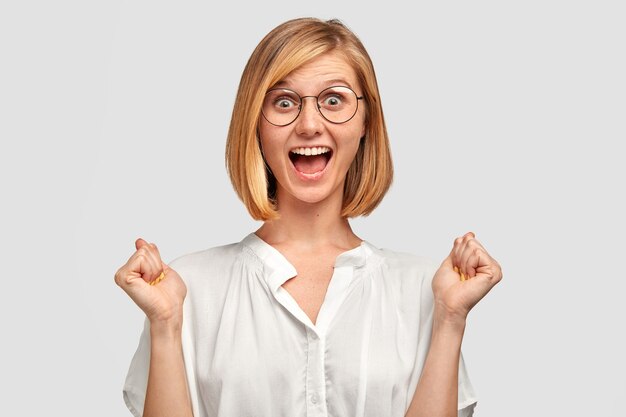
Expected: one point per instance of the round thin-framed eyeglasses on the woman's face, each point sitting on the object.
(337, 104)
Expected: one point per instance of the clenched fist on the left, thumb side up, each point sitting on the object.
(162, 301)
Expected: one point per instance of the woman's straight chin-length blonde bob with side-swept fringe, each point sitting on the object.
(283, 50)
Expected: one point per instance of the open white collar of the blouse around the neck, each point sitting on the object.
(277, 269)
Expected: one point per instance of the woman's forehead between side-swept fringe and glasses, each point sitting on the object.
(328, 69)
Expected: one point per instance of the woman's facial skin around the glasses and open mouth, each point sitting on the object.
(311, 129)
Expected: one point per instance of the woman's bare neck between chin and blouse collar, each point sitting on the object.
(311, 225)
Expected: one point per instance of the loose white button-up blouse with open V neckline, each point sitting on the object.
(250, 350)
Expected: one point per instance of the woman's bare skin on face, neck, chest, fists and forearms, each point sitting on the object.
(311, 233)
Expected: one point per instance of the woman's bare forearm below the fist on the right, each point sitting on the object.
(436, 394)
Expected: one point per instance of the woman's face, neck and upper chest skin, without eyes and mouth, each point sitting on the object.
(310, 232)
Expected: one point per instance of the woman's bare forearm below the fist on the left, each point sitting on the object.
(167, 393)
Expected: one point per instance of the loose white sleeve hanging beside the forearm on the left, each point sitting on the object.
(136, 383)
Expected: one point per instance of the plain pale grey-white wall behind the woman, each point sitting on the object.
(506, 118)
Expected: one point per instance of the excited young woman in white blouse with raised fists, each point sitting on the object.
(303, 317)
